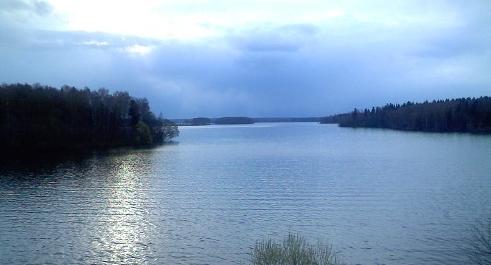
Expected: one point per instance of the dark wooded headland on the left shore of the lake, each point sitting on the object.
(35, 118)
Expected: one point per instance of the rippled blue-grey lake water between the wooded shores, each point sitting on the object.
(380, 196)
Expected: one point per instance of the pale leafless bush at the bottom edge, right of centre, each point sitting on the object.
(293, 250)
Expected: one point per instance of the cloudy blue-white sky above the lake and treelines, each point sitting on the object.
(254, 58)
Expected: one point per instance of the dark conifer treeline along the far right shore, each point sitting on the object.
(455, 115)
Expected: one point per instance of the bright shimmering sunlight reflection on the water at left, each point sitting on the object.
(122, 231)
